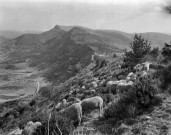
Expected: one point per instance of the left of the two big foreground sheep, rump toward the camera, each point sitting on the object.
(74, 112)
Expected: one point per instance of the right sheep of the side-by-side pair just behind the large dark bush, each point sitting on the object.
(123, 87)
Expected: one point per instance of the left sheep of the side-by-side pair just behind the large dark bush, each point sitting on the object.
(111, 85)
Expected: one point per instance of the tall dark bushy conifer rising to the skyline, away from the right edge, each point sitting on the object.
(140, 47)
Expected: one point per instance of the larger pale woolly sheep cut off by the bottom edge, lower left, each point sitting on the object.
(30, 128)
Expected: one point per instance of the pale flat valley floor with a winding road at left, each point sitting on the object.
(18, 82)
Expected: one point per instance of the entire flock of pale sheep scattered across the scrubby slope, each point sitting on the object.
(77, 107)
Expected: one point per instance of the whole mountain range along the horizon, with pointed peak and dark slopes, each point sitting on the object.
(59, 50)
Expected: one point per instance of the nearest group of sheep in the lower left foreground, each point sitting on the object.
(74, 112)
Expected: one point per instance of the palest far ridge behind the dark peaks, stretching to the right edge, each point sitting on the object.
(122, 40)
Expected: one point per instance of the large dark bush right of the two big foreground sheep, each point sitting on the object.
(139, 97)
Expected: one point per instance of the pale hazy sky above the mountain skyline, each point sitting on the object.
(123, 15)
